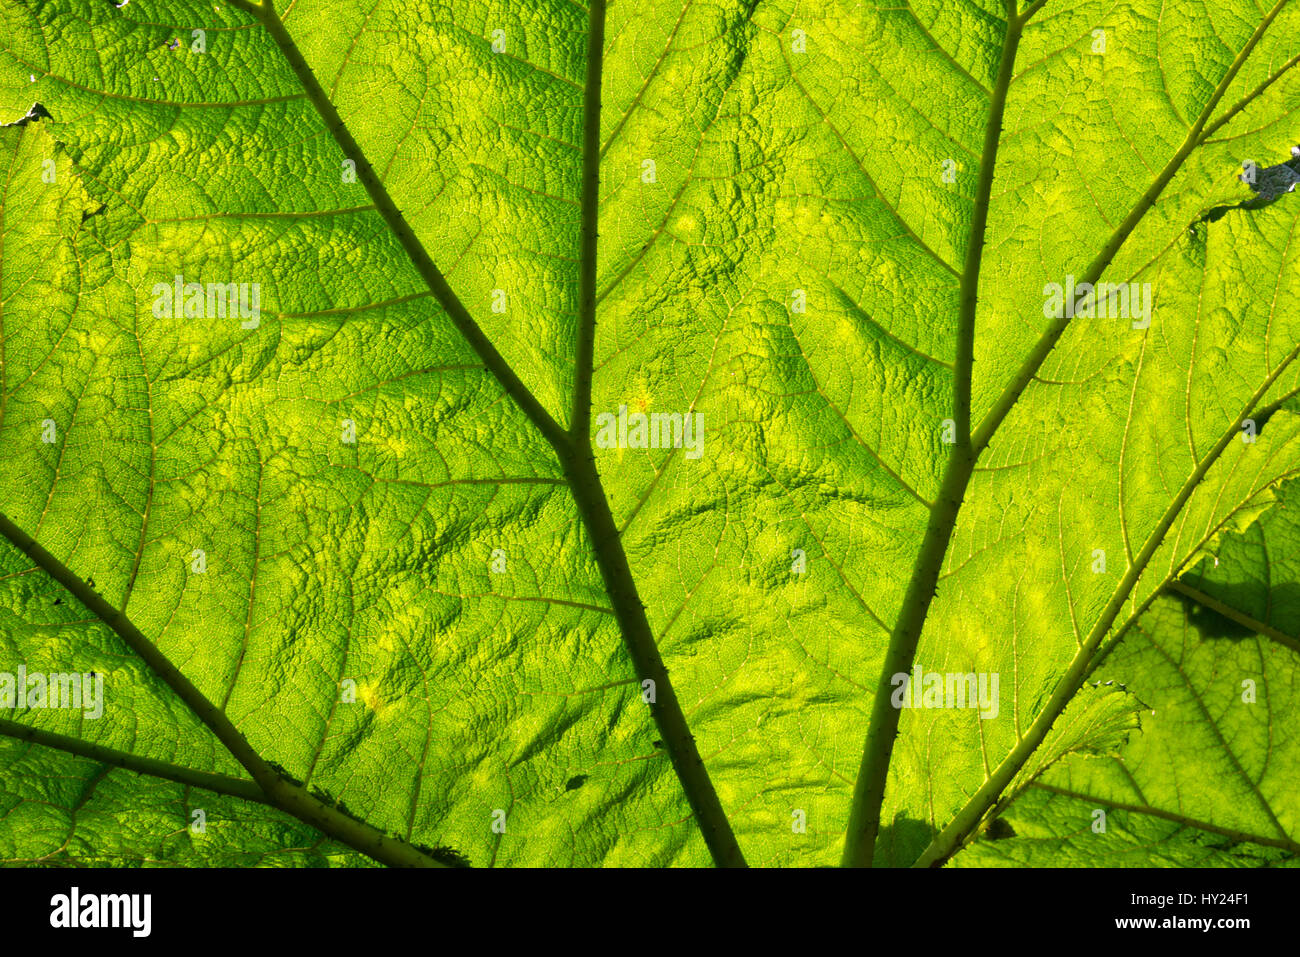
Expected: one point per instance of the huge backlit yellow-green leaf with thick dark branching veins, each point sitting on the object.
(365, 549)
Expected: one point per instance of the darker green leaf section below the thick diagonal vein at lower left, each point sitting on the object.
(92, 807)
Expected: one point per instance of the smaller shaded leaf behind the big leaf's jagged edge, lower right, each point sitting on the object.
(1208, 780)
